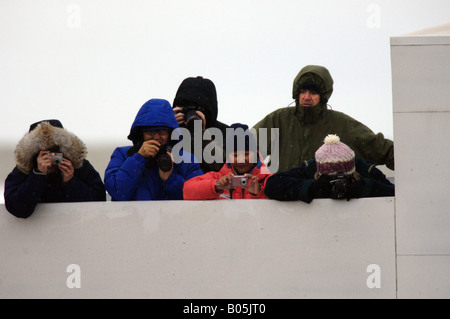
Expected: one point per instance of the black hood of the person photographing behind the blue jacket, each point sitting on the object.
(198, 91)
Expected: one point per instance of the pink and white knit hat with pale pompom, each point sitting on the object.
(335, 157)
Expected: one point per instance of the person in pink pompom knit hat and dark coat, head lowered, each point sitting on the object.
(334, 173)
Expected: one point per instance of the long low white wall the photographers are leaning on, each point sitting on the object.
(201, 249)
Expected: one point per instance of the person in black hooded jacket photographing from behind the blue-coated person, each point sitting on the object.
(195, 100)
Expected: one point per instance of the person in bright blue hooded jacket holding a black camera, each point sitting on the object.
(147, 170)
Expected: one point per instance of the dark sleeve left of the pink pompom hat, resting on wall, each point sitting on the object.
(291, 185)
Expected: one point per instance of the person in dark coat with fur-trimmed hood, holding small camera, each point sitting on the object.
(38, 179)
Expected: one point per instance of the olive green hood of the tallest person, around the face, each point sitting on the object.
(319, 76)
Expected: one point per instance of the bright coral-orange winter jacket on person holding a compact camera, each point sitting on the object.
(203, 187)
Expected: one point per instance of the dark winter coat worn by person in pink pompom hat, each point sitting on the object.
(295, 184)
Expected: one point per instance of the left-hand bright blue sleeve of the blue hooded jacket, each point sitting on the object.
(123, 174)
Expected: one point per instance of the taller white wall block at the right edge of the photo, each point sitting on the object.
(421, 100)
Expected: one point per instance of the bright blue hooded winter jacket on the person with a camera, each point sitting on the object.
(130, 178)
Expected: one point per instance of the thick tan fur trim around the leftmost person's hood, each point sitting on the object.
(46, 137)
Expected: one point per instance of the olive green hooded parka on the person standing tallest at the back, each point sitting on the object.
(302, 129)
